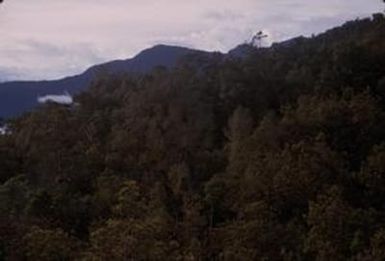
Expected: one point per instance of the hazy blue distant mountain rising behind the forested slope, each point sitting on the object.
(20, 96)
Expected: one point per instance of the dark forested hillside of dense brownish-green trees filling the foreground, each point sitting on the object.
(278, 154)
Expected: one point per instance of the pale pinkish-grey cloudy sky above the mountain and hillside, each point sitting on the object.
(49, 39)
